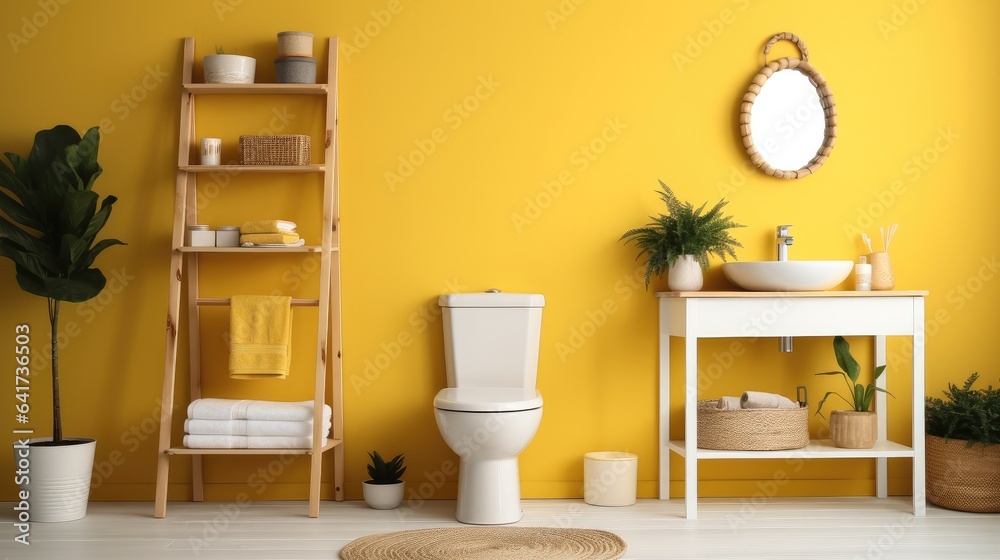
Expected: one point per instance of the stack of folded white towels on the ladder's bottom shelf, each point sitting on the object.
(250, 424)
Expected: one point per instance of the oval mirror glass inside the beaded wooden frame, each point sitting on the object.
(787, 120)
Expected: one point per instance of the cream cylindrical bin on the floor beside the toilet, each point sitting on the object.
(609, 478)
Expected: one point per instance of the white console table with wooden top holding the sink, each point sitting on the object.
(695, 315)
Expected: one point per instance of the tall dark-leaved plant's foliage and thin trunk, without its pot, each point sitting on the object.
(49, 225)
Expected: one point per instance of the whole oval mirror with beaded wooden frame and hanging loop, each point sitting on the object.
(788, 119)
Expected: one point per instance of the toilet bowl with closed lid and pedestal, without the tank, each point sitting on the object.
(488, 428)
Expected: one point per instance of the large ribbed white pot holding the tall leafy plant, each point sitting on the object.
(57, 478)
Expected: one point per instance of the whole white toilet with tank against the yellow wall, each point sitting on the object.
(491, 409)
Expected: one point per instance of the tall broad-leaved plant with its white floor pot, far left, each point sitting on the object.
(48, 227)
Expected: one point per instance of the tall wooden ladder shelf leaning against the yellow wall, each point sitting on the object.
(184, 273)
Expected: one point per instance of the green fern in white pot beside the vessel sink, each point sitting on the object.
(680, 241)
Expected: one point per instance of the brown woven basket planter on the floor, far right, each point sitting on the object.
(963, 478)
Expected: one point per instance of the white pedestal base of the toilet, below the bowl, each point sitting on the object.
(489, 492)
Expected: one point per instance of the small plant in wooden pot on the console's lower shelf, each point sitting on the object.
(856, 428)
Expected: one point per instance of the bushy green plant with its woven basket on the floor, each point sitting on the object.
(963, 458)
